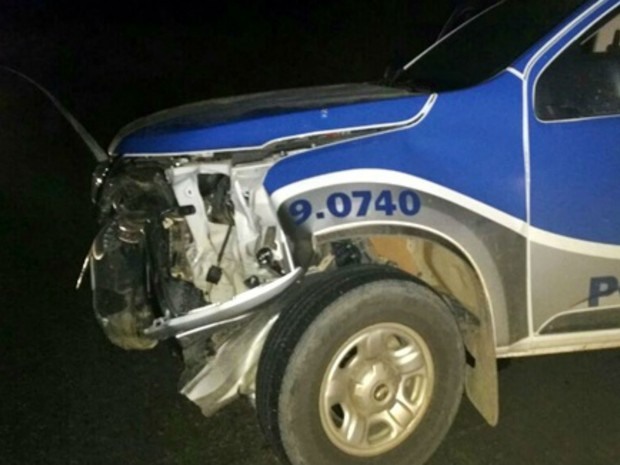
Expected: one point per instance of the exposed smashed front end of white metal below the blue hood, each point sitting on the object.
(188, 248)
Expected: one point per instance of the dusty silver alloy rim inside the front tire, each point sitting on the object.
(376, 389)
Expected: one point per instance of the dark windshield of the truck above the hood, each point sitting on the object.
(484, 46)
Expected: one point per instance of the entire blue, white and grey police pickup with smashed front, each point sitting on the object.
(353, 257)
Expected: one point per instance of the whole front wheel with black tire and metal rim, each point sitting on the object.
(365, 366)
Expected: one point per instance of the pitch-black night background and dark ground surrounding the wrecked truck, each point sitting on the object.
(67, 396)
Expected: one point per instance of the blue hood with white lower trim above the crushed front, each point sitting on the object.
(254, 121)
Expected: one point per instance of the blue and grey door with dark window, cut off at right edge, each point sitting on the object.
(574, 162)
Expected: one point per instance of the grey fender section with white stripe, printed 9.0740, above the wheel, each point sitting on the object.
(366, 202)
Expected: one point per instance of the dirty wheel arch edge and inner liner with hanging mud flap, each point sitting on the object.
(448, 268)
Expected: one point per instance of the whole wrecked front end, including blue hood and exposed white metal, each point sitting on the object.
(190, 246)
